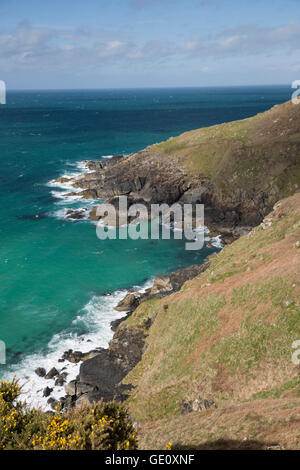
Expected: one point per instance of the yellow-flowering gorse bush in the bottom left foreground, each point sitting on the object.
(105, 426)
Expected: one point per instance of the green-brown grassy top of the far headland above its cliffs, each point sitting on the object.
(259, 152)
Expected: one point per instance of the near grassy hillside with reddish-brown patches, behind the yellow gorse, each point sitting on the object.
(227, 336)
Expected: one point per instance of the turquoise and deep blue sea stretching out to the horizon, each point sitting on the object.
(58, 281)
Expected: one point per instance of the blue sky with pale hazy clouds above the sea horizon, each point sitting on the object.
(69, 44)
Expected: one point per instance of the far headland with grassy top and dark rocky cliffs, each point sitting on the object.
(238, 169)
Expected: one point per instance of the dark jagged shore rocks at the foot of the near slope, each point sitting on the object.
(102, 370)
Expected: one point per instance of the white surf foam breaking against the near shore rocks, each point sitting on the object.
(95, 317)
